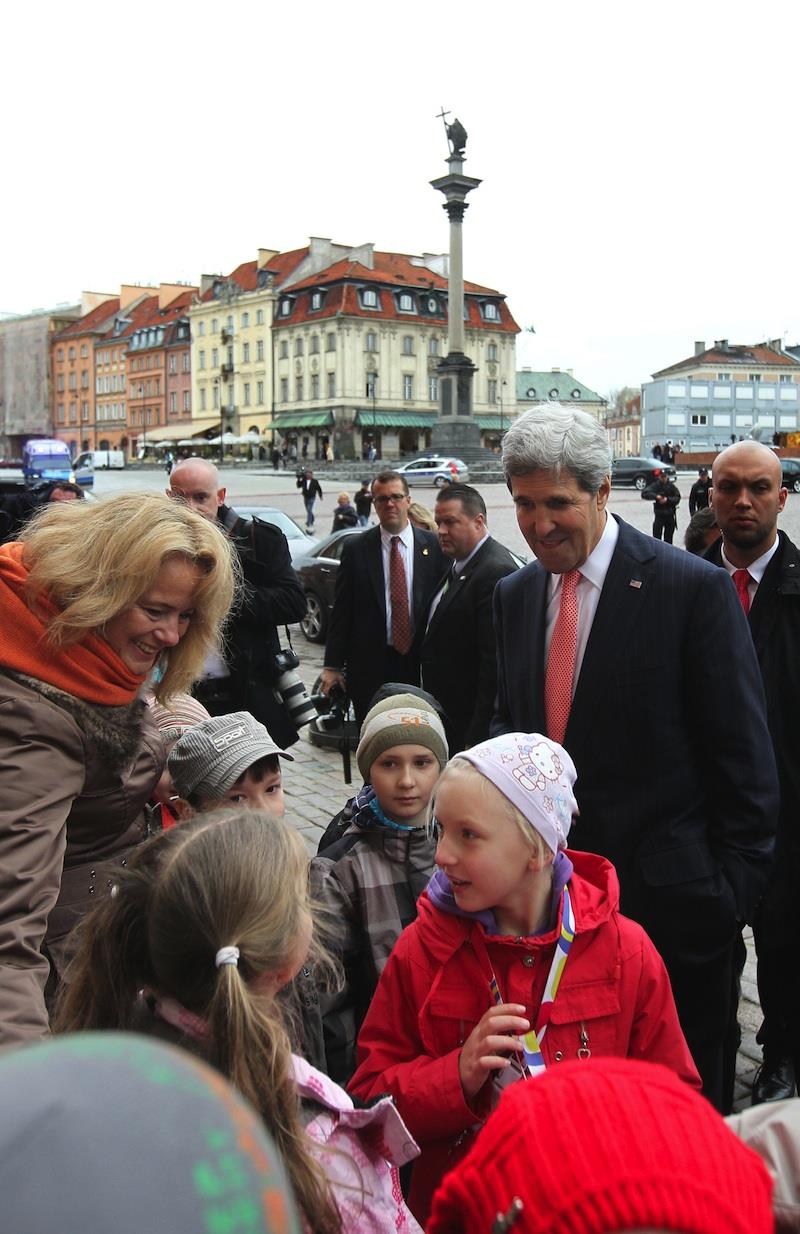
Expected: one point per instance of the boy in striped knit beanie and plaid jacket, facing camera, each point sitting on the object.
(371, 878)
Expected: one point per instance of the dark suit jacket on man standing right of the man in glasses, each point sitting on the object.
(460, 662)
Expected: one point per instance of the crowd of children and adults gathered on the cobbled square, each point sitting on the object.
(503, 995)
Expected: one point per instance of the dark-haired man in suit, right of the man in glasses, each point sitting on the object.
(460, 662)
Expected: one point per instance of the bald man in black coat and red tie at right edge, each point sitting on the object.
(748, 497)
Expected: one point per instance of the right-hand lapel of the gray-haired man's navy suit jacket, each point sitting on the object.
(624, 593)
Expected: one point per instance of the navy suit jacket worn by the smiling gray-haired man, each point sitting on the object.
(676, 776)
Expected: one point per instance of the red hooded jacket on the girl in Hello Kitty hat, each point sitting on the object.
(614, 999)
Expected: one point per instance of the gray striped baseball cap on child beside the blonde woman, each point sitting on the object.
(209, 760)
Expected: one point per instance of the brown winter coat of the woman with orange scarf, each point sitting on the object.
(75, 778)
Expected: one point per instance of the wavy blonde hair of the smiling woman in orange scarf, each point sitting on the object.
(94, 560)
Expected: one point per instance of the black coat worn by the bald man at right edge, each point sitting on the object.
(775, 623)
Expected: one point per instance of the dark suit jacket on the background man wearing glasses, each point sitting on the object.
(357, 634)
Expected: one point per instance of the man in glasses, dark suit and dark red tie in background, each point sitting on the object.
(385, 586)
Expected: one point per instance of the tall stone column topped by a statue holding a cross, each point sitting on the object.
(456, 433)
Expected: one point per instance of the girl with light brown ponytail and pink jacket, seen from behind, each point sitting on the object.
(204, 927)
